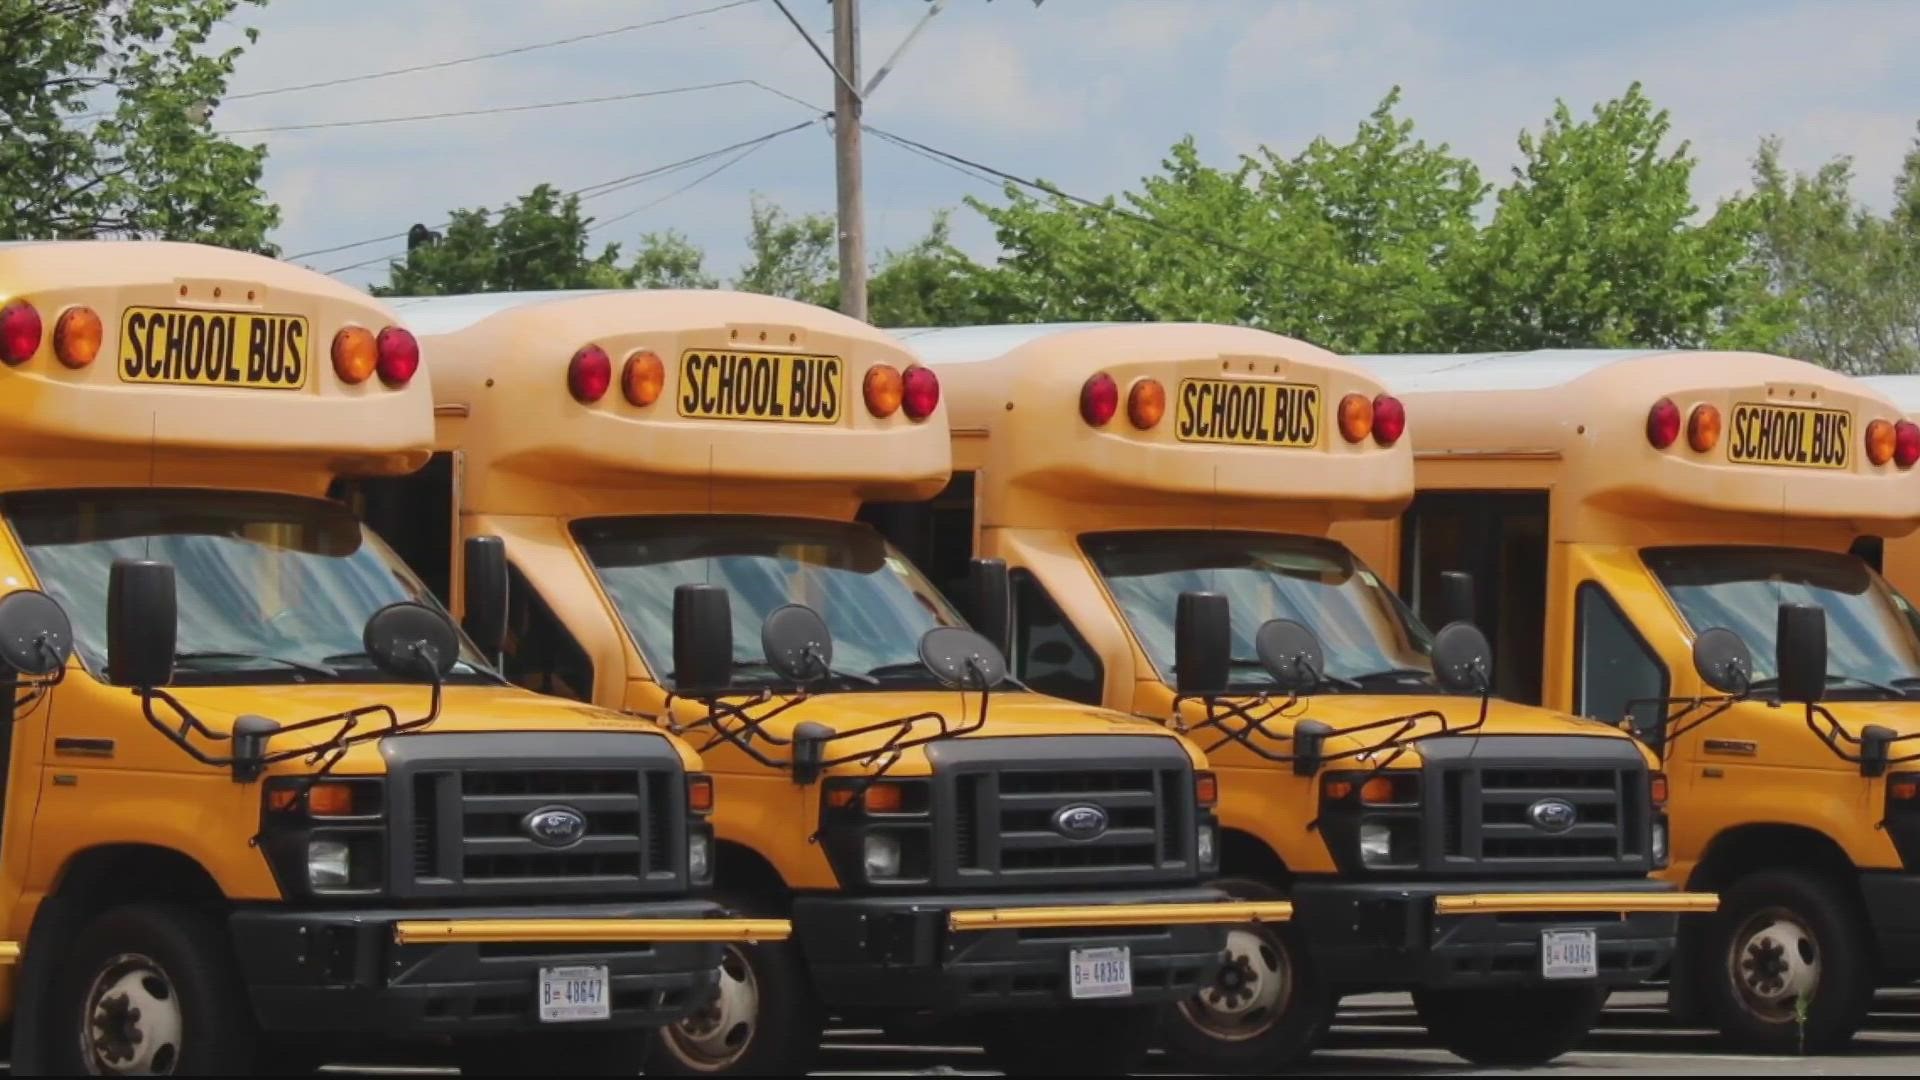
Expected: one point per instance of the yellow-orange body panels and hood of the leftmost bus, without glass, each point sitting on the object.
(87, 772)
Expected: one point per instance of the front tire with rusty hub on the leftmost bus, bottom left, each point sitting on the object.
(151, 991)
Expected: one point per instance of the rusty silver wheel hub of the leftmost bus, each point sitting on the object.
(132, 1023)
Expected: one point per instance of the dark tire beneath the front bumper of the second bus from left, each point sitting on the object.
(1086, 1041)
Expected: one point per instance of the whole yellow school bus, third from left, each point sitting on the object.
(1491, 858)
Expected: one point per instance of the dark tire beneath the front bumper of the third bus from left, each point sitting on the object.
(1510, 1027)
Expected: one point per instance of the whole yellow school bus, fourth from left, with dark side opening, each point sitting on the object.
(1673, 543)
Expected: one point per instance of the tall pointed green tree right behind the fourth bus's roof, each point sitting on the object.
(1598, 243)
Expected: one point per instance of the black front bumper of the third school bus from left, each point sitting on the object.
(1385, 935)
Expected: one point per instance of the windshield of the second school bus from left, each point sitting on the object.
(875, 602)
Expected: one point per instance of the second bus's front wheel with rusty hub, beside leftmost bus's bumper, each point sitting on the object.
(763, 1019)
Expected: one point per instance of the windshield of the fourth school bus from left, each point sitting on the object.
(1871, 647)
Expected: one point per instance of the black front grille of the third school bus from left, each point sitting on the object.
(1487, 818)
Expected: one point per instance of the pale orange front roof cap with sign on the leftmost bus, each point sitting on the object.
(212, 368)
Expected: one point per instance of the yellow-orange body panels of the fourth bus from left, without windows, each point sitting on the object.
(1573, 430)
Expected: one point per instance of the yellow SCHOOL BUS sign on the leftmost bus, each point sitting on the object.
(180, 347)
